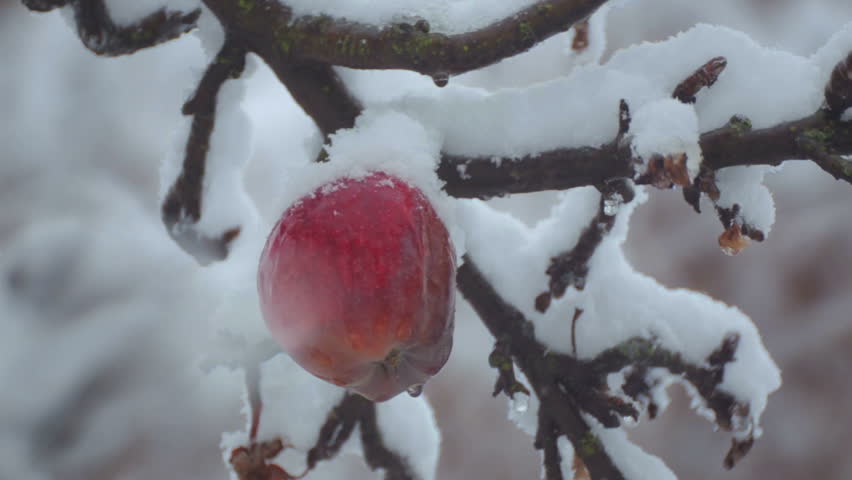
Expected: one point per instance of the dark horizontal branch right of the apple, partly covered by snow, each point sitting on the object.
(734, 144)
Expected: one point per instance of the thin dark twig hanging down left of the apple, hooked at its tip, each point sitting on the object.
(181, 208)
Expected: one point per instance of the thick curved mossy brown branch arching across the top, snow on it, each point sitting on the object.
(399, 46)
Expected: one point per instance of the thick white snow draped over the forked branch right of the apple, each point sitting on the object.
(618, 303)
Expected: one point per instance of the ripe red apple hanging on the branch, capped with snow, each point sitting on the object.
(357, 284)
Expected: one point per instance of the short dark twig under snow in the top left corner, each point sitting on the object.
(100, 34)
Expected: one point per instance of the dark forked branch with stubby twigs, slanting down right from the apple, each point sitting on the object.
(565, 385)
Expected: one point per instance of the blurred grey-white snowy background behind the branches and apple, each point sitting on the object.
(103, 318)
